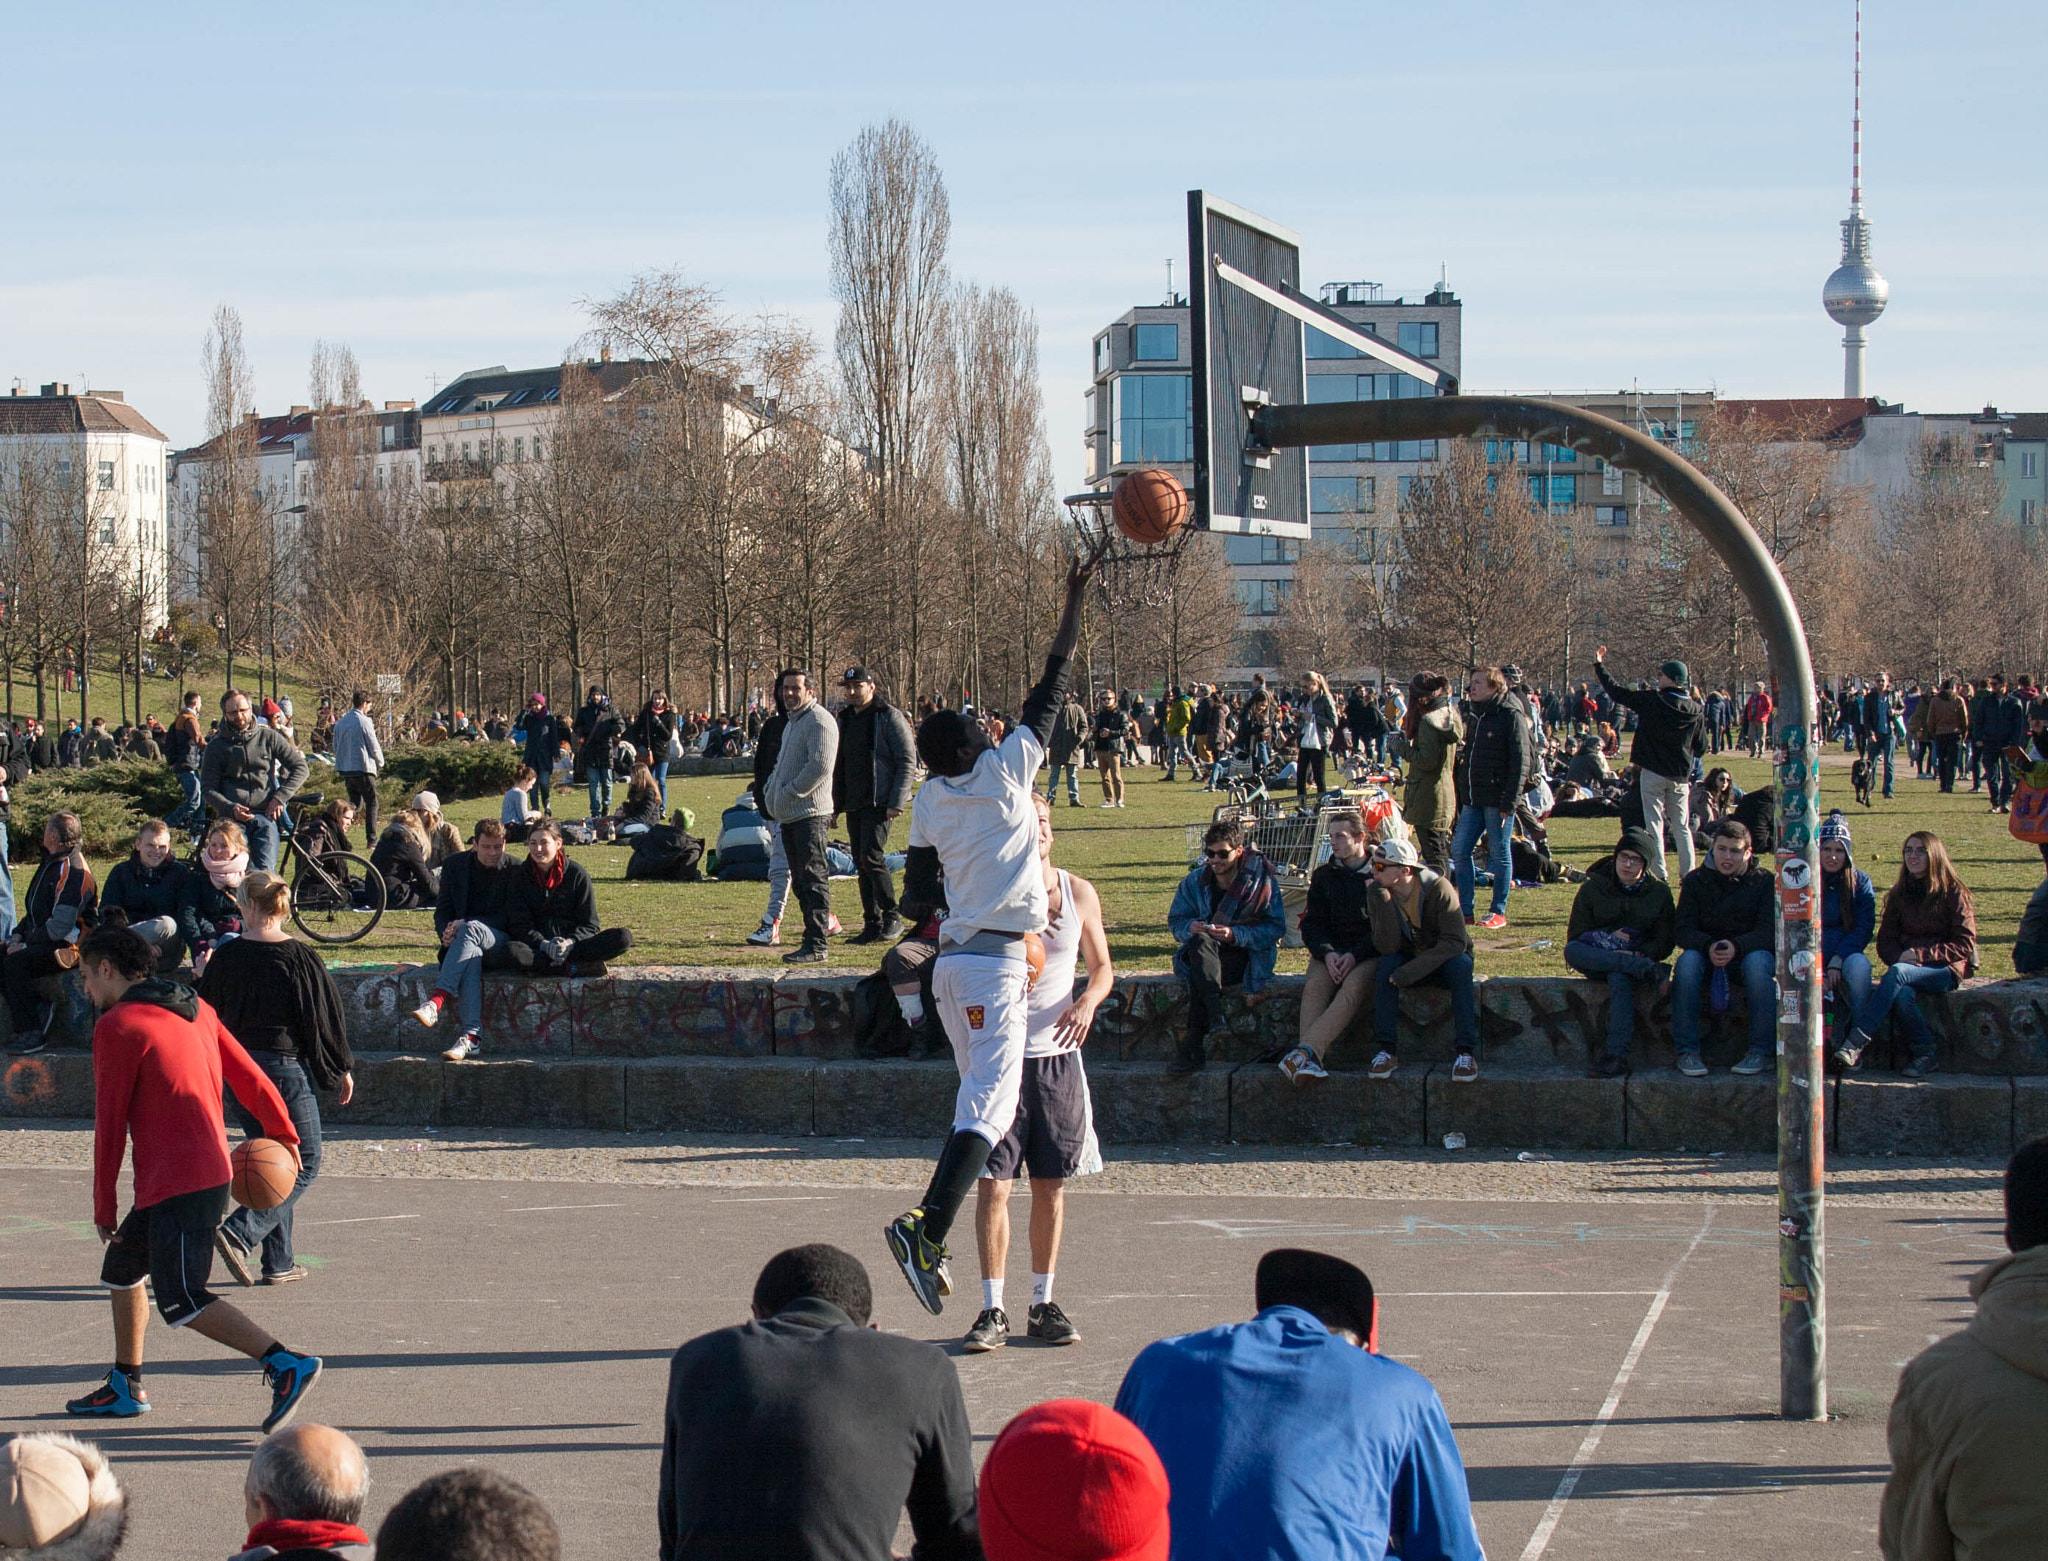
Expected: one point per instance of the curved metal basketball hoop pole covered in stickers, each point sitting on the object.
(1801, 1079)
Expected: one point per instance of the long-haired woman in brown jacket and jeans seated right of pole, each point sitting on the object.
(1928, 937)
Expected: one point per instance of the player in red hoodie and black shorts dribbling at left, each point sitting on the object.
(161, 1060)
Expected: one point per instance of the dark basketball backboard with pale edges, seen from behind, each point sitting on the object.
(1246, 351)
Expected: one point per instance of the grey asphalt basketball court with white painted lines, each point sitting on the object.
(1611, 1369)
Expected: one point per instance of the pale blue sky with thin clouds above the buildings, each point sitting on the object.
(1621, 194)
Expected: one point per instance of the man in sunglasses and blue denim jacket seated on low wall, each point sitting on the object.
(1228, 919)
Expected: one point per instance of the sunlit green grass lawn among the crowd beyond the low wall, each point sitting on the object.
(1138, 855)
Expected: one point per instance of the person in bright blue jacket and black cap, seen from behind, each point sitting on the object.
(1293, 1437)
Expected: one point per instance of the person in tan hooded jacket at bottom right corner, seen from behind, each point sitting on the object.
(1973, 1410)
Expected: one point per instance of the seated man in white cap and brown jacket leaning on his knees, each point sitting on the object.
(1420, 939)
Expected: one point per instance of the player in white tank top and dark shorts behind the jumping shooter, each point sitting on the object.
(1054, 1134)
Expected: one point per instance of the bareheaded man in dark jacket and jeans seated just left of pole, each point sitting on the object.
(1725, 931)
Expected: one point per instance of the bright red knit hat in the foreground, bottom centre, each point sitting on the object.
(1074, 1482)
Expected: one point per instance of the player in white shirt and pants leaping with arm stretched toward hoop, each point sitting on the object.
(974, 825)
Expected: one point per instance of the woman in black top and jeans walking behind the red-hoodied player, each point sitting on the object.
(280, 1003)
